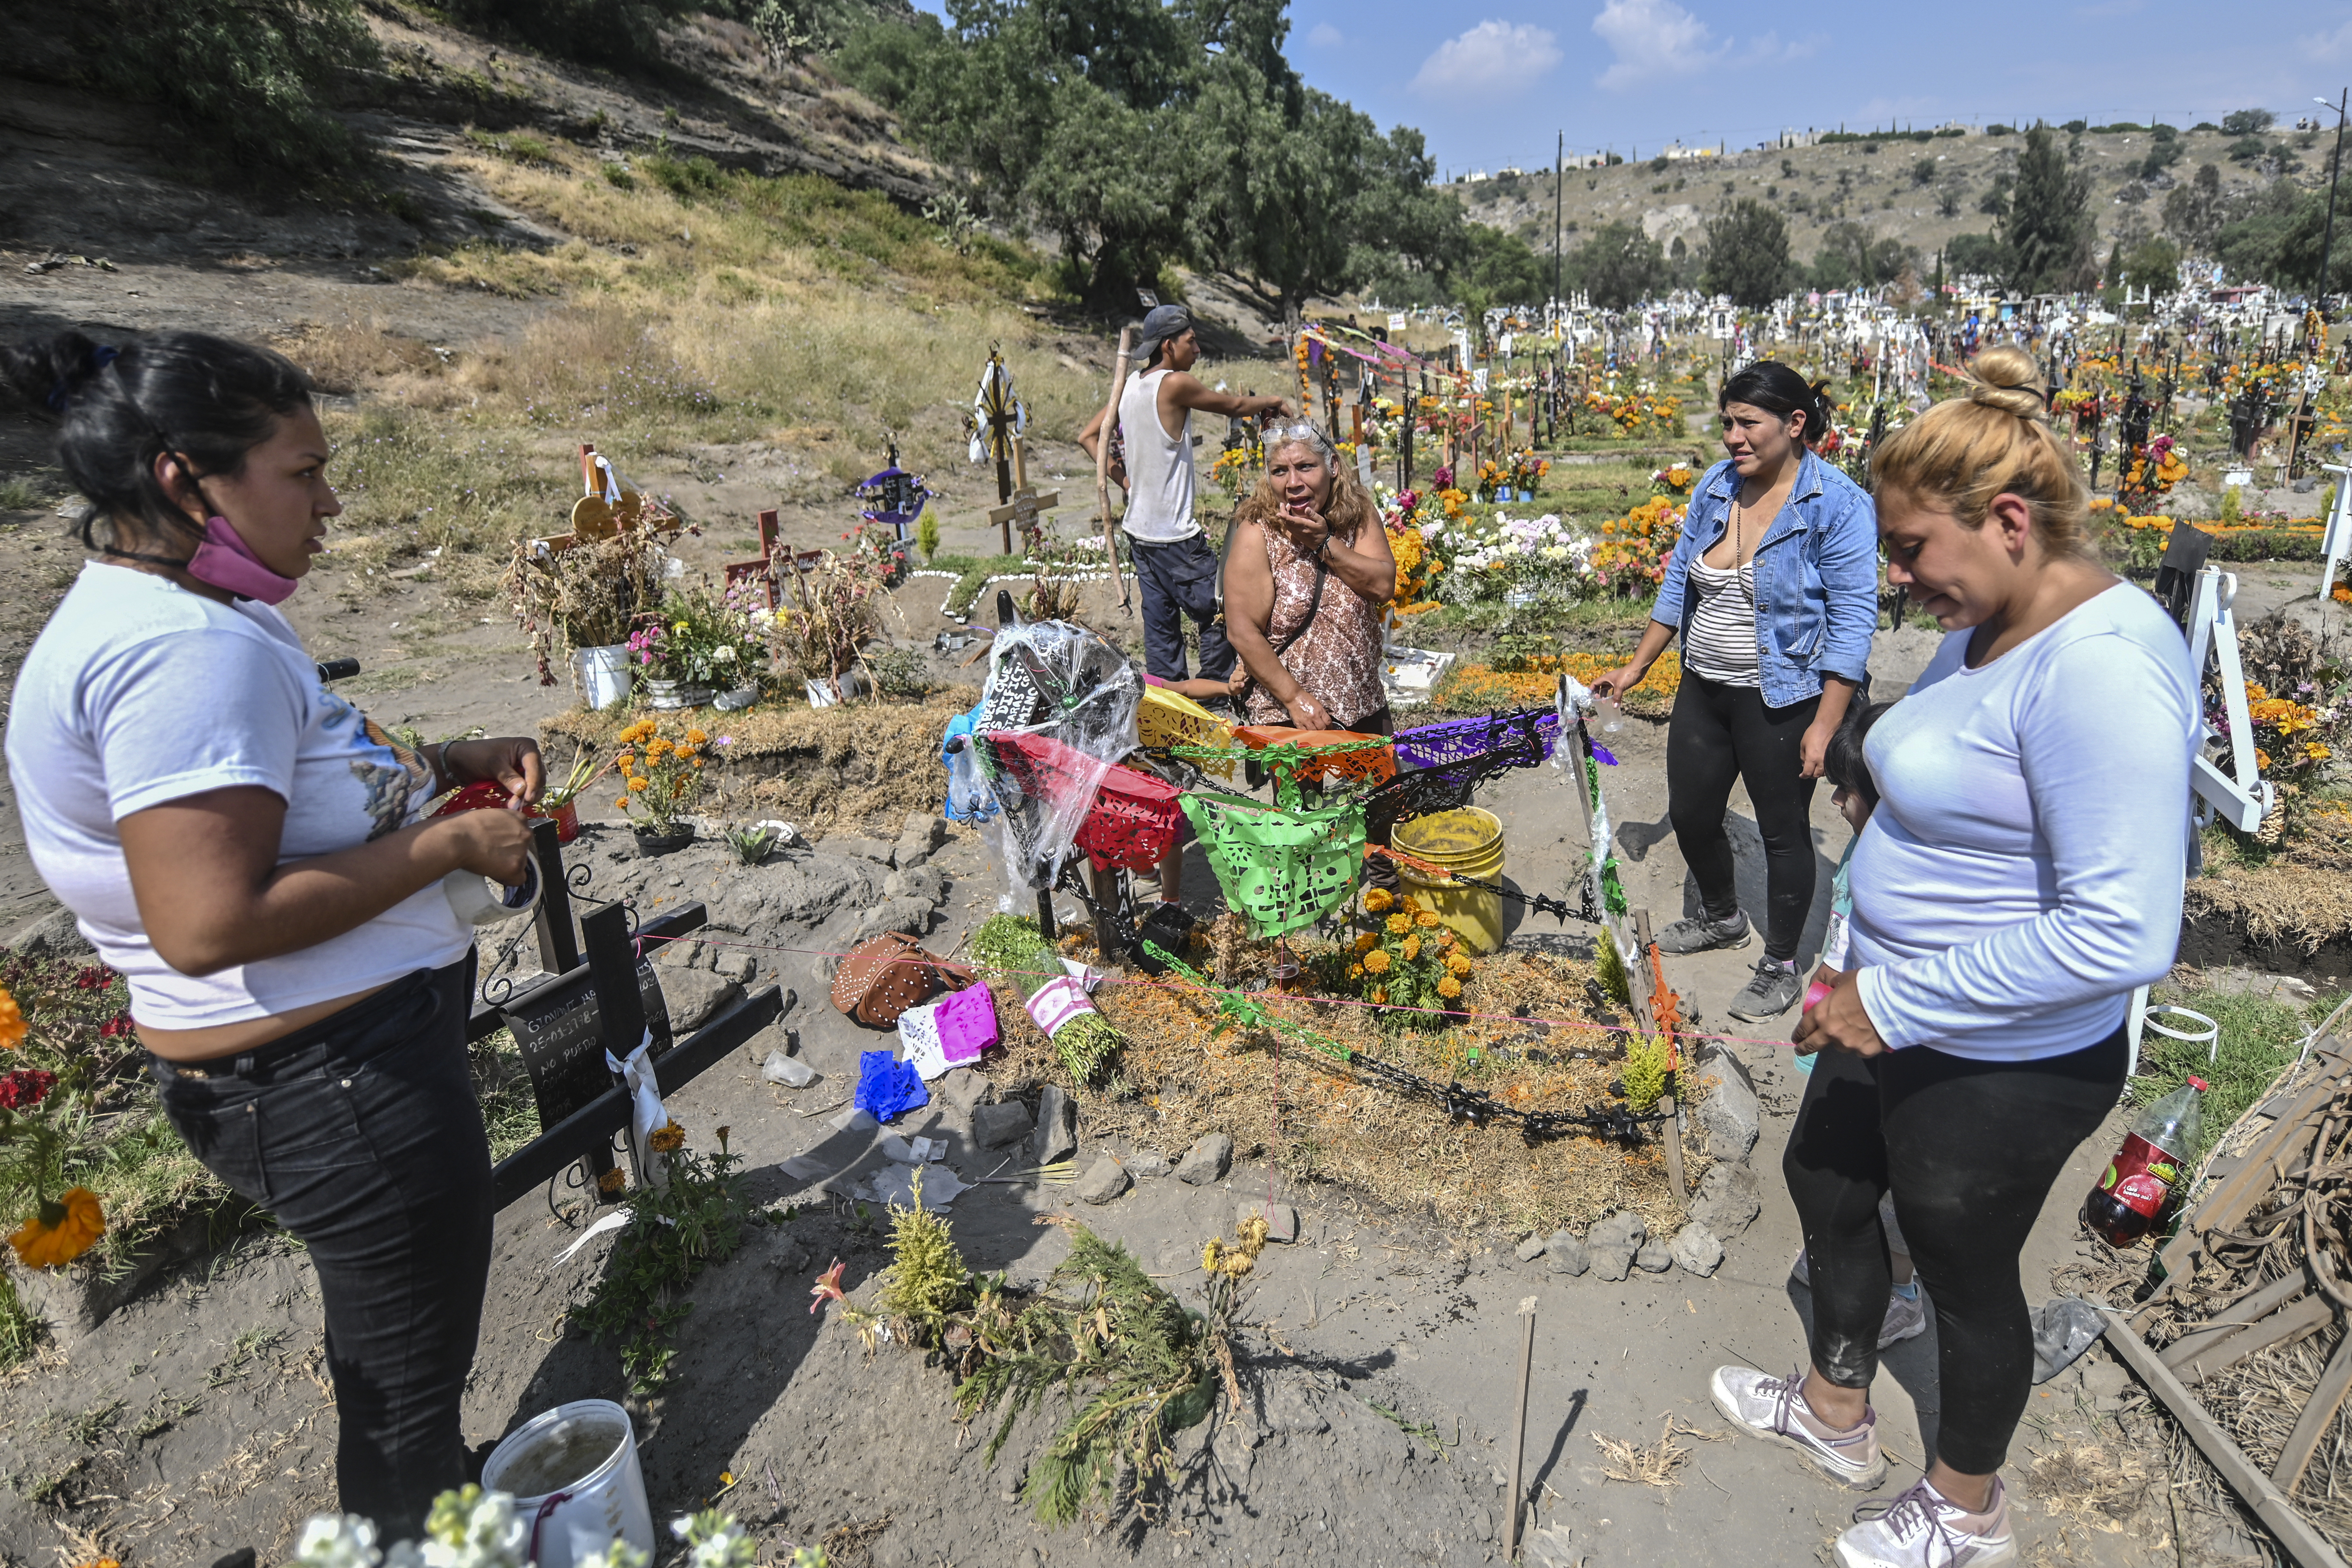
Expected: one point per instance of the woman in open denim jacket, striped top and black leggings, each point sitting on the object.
(1775, 591)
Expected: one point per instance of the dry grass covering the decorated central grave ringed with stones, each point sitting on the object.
(1175, 1080)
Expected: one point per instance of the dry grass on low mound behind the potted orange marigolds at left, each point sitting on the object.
(827, 770)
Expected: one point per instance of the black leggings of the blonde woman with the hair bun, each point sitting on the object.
(1972, 1153)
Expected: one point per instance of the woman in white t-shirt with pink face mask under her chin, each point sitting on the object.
(248, 850)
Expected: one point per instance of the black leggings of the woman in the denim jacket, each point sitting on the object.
(1720, 735)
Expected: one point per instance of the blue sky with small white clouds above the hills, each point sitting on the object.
(1492, 83)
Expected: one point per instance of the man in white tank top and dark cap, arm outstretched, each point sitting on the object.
(1175, 563)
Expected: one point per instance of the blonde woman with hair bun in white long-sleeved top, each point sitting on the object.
(2019, 878)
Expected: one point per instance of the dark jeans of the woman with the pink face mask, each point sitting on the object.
(361, 1137)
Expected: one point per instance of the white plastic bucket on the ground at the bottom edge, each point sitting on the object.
(575, 1480)
